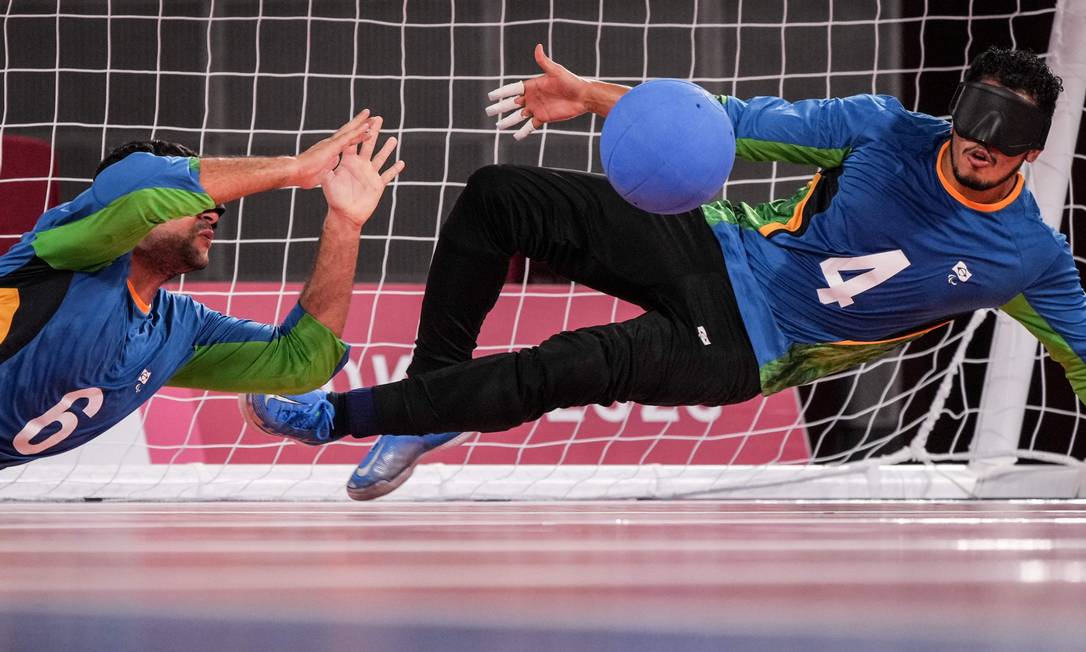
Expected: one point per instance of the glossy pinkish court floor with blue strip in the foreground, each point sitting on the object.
(544, 576)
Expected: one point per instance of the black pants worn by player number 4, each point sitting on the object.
(671, 266)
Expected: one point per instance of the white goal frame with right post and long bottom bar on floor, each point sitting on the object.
(990, 470)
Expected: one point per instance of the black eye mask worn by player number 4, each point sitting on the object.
(999, 118)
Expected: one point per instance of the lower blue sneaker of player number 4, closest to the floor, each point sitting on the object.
(393, 460)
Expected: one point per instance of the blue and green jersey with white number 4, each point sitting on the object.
(879, 248)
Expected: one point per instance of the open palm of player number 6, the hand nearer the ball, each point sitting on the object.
(355, 187)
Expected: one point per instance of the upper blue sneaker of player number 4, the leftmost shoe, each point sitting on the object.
(302, 418)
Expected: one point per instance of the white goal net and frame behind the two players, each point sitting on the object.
(954, 415)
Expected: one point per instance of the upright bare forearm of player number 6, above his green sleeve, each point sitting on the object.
(327, 293)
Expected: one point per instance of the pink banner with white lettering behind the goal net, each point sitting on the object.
(183, 430)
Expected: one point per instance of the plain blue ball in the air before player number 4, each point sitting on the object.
(667, 146)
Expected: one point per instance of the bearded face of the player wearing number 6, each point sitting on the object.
(181, 245)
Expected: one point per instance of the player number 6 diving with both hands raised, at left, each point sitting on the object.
(86, 332)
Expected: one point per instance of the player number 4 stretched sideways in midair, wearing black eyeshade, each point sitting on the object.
(911, 222)
